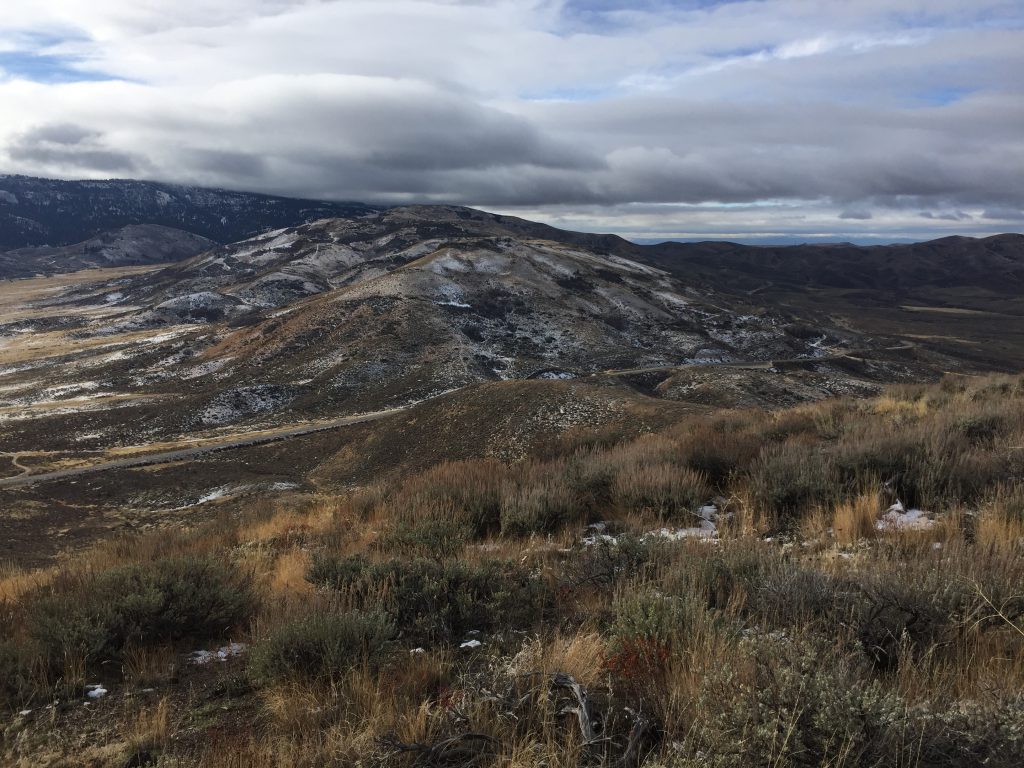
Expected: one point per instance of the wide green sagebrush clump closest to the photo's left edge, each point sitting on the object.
(97, 617)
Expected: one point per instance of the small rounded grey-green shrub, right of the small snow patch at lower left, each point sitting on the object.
(322, 648)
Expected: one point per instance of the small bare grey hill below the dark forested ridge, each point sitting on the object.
(131, 246)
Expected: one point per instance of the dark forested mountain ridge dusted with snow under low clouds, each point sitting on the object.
(50, 212)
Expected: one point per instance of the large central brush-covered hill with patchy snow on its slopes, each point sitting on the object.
(344, 316)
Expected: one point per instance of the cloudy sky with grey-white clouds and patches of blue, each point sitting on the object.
(751, 120)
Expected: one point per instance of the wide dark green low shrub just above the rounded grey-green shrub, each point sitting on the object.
(439, 603)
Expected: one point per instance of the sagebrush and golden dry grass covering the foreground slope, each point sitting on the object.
(567, 612)
